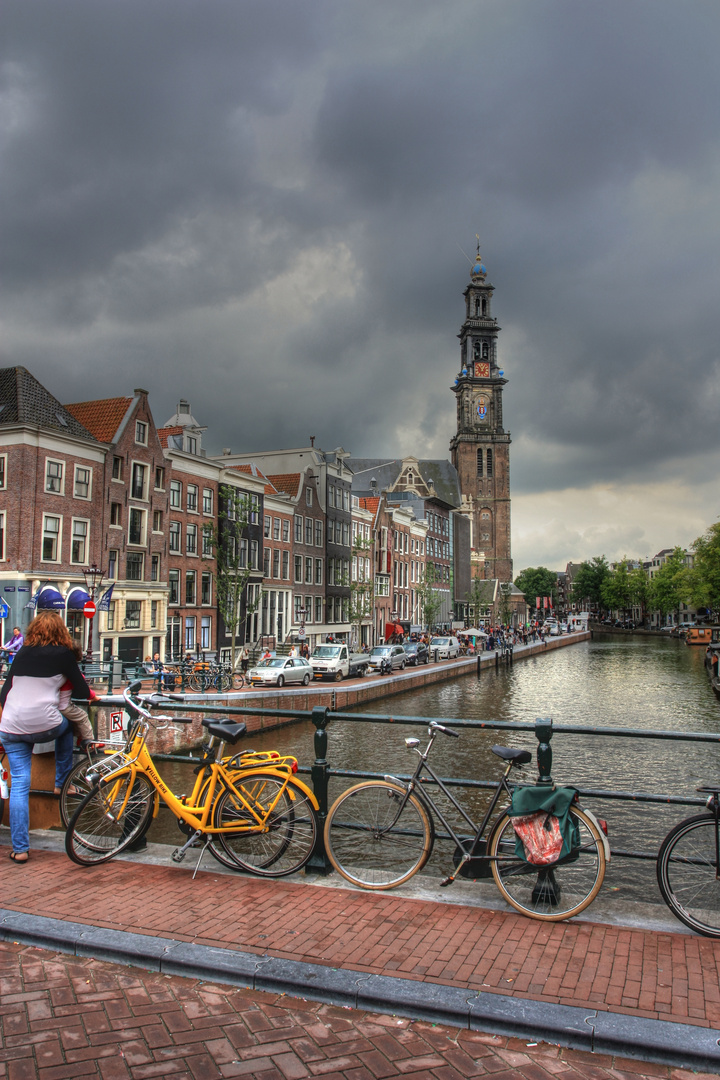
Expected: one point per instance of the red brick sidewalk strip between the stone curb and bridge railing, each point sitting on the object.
(644, 974)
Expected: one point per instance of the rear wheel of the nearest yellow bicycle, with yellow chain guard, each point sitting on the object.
(275, 822)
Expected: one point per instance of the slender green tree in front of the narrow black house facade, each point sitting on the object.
(227, 543)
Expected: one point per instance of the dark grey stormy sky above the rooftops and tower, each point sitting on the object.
(261, 207)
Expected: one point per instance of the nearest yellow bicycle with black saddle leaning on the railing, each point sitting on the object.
(251, 812)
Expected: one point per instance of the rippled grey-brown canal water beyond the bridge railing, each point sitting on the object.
(629, 682)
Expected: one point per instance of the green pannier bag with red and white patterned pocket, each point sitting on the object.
(545, 831)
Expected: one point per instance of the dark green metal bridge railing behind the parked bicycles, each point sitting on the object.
(321, 771)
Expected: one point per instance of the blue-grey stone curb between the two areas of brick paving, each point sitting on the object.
(608, 1033)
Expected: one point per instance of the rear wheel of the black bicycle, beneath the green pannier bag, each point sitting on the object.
(549, 894)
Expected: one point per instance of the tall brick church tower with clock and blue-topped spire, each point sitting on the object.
(481, 449)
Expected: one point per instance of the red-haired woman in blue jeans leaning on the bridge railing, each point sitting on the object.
(31, 700)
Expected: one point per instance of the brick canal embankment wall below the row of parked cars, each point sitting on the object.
(279, 706)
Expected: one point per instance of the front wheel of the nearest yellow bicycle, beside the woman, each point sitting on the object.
(101, 829)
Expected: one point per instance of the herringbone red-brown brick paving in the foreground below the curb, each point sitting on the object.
(63, 1018)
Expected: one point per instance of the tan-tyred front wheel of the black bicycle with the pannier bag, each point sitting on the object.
(370, 845)
